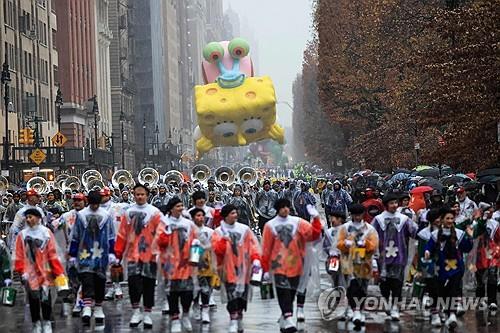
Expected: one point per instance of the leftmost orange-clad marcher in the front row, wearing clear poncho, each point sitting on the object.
(37, 262)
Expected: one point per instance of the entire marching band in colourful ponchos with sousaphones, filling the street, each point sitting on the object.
(188, 236)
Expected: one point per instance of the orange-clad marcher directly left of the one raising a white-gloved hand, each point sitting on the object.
(237, 249)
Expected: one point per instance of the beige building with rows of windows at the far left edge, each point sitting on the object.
(27, 44)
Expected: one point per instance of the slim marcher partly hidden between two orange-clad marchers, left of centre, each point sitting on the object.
(206, 273)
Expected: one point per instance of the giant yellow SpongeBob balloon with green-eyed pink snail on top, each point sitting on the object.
(234, 108)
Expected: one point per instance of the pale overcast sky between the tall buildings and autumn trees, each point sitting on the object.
(281, 29)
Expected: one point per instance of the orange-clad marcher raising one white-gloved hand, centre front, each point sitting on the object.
(283, 245)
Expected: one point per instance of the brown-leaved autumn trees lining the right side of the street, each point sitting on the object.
(392, 74)
